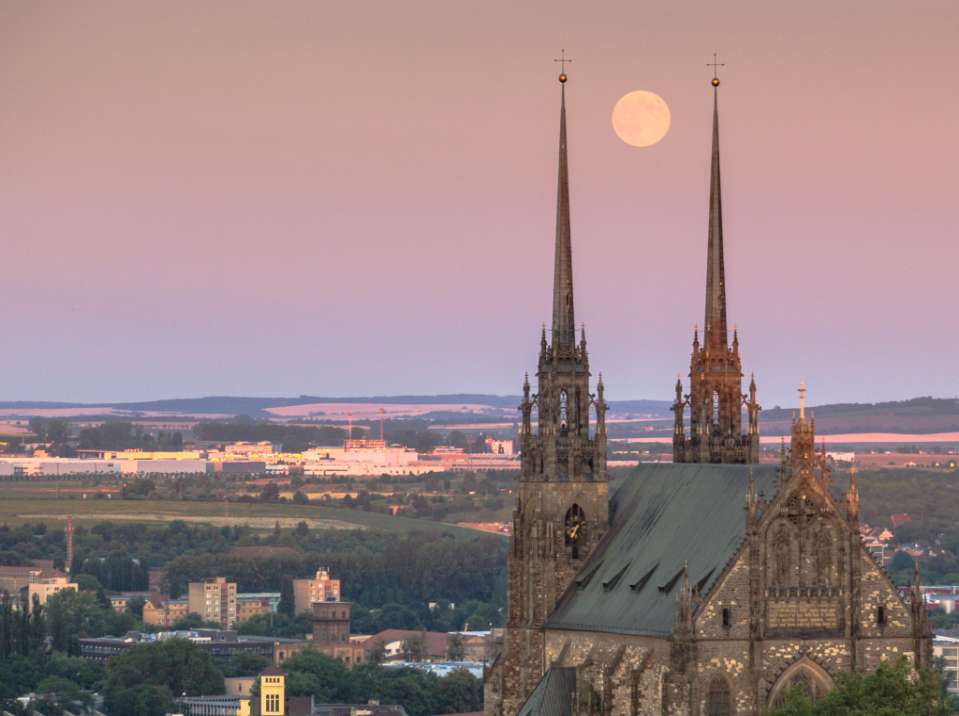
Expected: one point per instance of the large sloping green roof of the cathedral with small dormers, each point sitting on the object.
(664, 518)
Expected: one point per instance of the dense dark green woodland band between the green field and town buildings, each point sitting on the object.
(391, 578)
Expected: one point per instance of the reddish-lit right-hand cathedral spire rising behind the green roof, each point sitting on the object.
(715, 397)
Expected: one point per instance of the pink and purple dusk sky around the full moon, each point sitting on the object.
(358, 197)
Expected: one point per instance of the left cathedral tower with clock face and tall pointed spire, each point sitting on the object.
(562, 507)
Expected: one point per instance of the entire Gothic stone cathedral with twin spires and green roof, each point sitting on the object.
(707, 587)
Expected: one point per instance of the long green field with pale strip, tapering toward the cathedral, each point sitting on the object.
(20, 503)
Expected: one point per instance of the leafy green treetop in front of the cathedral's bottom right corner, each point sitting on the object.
(890, 690)
